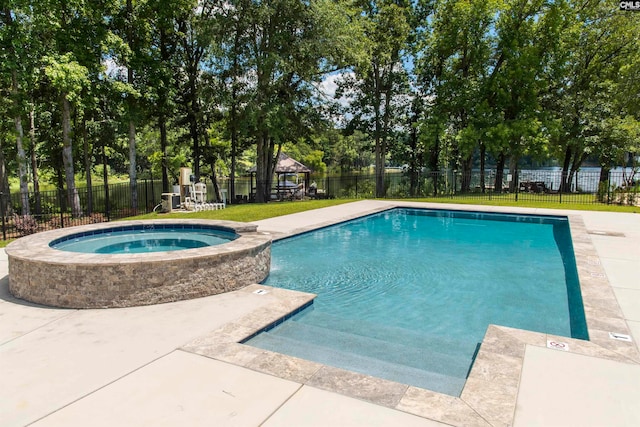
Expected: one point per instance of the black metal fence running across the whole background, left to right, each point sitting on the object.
(51, 209)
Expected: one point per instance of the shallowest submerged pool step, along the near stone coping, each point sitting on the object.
(348, 360)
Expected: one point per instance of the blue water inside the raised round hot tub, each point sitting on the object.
(143, 239)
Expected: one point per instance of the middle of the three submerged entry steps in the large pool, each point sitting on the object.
(402, 354)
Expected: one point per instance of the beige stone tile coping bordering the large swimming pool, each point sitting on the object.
(490, 392)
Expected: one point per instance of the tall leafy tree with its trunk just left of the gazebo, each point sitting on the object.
(292, 45)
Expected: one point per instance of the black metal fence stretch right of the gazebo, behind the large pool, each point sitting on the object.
(550, 186)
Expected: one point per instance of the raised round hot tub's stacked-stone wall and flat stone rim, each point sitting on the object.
(41, 274)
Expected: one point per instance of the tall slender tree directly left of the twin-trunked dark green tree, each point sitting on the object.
(453, 70)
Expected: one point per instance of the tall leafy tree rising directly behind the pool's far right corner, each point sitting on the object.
(594, 45)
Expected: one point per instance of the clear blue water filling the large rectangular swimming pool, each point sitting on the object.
(408, 294)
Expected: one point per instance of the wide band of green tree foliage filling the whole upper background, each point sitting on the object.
(426, 83)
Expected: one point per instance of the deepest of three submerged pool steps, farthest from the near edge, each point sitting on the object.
(387, 333)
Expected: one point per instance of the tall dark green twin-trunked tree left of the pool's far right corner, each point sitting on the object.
(524, 37)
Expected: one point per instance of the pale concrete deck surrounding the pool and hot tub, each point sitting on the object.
(165, 364)
